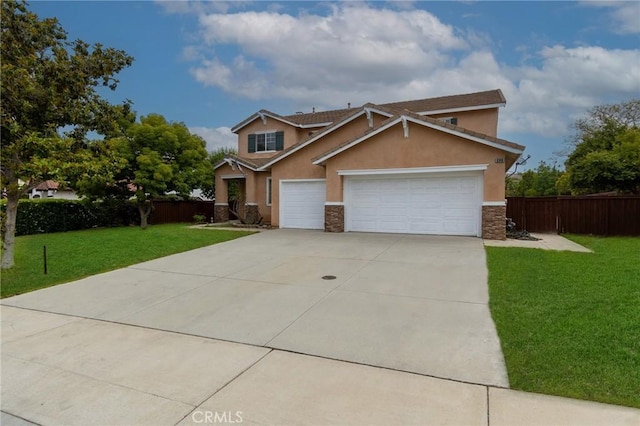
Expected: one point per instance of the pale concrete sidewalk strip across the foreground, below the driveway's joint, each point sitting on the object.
(67, 370)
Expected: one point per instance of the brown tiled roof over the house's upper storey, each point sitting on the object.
(443, 104)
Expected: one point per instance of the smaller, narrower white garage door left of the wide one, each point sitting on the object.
(302, 204)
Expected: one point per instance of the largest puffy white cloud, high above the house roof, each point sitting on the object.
(352, 43)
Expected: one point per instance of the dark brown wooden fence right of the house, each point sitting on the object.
(597, 215)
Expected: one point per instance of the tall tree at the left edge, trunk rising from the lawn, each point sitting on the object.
(49, 84)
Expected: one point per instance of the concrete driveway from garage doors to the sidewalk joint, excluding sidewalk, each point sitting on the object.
(405, 302)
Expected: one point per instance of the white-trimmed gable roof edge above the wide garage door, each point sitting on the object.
(433, 123)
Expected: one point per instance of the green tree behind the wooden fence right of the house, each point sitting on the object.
(606, 150)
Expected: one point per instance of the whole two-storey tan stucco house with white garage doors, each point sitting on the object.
(428, 166)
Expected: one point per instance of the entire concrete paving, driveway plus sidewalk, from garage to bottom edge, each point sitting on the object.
(97, 351)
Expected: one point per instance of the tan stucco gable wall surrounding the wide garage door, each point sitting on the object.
(424, 147)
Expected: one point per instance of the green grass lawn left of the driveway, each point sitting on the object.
(74, 255)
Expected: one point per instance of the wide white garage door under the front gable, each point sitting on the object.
(440, 205)
